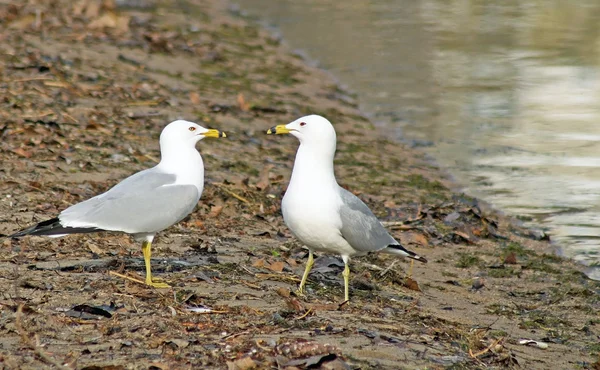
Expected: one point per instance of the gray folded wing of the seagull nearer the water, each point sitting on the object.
(360, 227)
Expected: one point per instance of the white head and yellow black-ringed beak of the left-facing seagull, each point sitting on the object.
(310, 130)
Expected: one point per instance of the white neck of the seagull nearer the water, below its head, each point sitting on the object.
(313, 166)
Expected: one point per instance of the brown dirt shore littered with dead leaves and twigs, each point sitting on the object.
(86, 87)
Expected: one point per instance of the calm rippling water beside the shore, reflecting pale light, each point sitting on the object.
(505, 95)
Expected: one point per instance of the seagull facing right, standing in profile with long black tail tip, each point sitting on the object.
(146, 202)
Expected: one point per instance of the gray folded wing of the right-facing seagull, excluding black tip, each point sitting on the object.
(139, 204)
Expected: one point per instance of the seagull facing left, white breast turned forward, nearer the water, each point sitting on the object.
(320, 213)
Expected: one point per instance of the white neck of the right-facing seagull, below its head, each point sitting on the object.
(185, 163)
